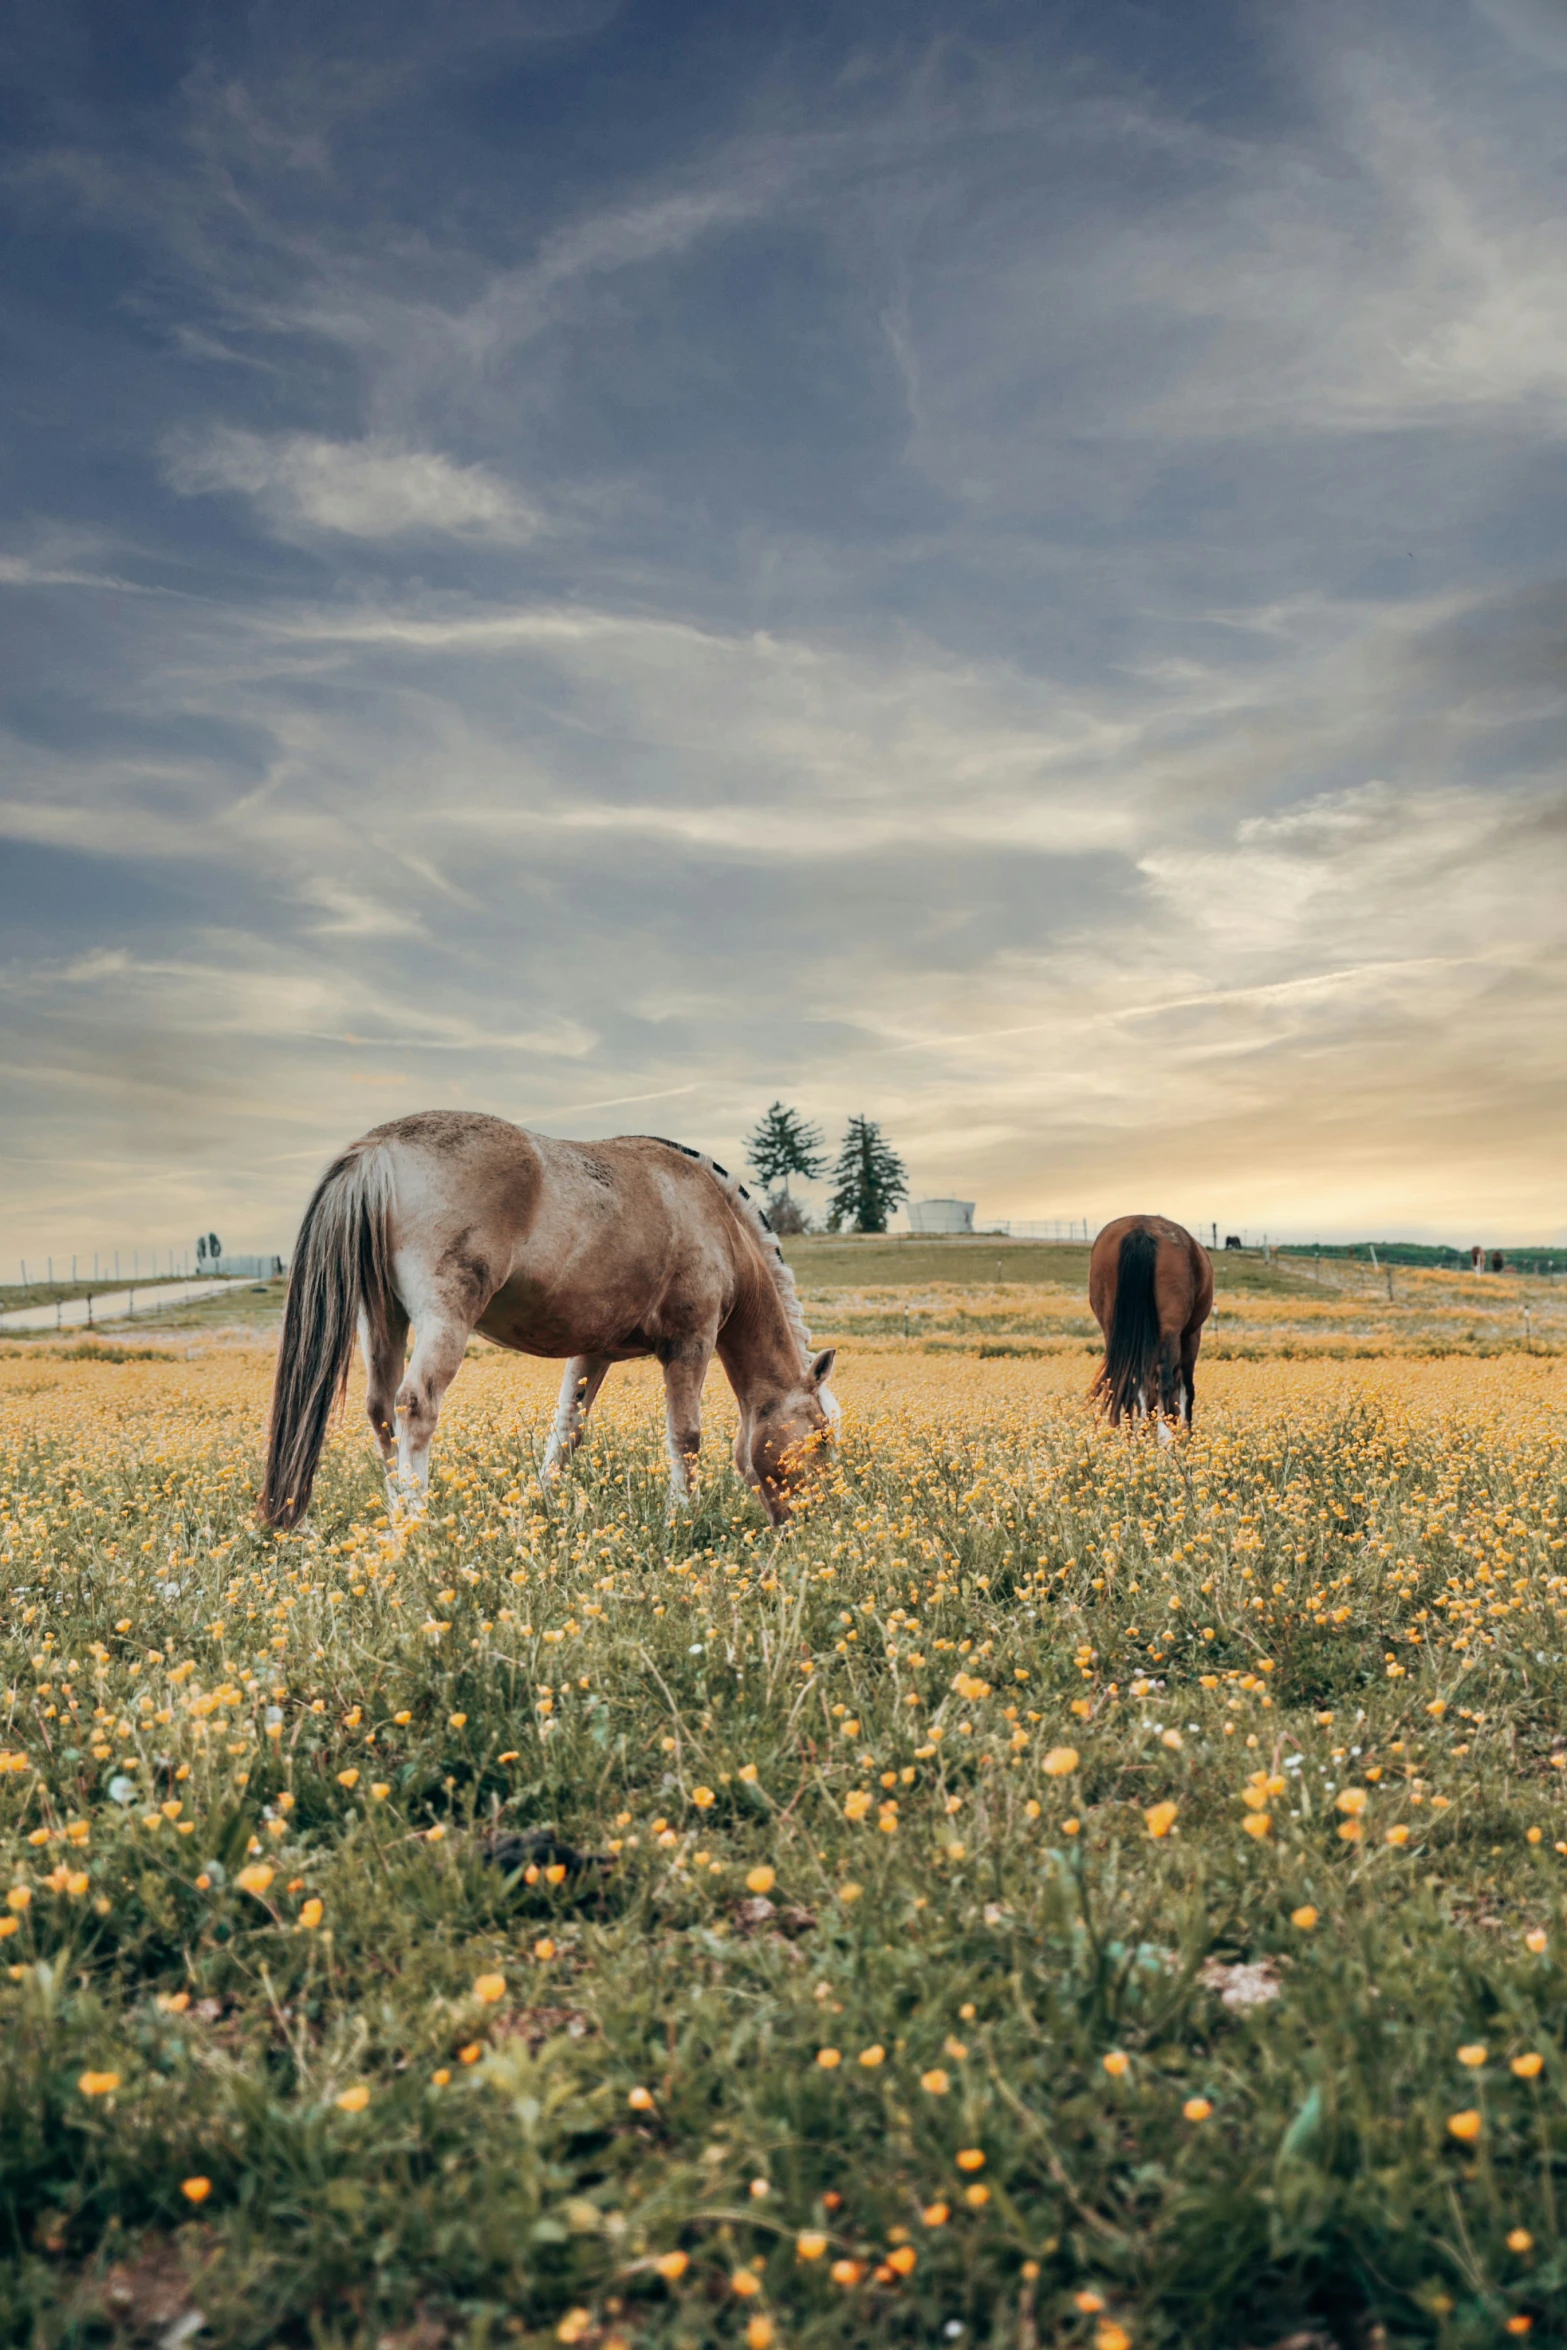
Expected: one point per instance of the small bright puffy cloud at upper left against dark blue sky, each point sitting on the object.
(356, 490)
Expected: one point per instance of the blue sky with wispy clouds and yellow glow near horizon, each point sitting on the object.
(997, 568)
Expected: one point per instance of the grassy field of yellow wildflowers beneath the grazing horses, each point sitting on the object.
(1065, 1891)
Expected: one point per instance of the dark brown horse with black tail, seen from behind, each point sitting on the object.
(1150, 1287)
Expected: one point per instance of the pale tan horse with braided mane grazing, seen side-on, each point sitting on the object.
(596, 1251)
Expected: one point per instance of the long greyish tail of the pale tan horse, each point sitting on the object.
(342, 1270)
